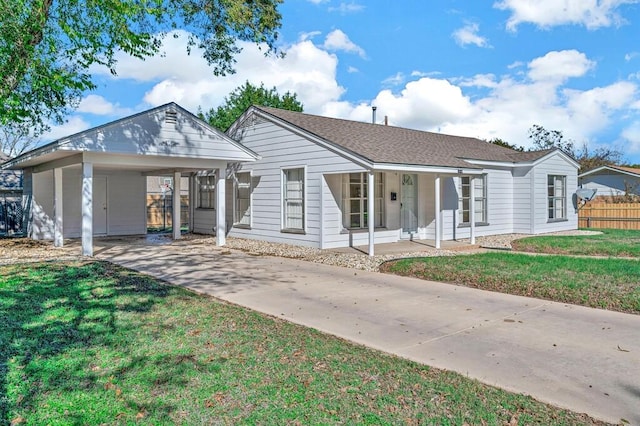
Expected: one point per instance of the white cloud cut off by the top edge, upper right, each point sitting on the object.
(592, 14)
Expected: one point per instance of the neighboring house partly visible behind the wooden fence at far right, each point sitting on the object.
(612, 180)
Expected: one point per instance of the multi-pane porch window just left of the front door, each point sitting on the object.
(355, 203)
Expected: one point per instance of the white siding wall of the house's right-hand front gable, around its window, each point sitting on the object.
(555, 165)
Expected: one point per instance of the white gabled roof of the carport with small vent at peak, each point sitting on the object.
(167, 137)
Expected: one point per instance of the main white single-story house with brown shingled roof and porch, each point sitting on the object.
(320, 180)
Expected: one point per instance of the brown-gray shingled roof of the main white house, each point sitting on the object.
(388, 144)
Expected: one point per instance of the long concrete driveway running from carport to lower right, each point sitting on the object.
(587, 360)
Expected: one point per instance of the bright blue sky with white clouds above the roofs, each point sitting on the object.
(485, 69)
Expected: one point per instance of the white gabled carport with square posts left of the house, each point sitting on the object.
(94, 182)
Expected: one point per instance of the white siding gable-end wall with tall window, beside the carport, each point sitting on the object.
(281, 149)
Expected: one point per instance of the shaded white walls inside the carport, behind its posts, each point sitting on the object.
(125, 199)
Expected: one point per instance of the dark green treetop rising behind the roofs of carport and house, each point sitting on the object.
(242, 98)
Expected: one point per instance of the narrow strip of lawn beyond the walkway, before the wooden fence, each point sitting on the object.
(612, 242)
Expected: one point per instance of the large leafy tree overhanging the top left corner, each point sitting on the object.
(48, 48)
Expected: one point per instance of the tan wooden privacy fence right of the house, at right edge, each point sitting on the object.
(609, 215)
